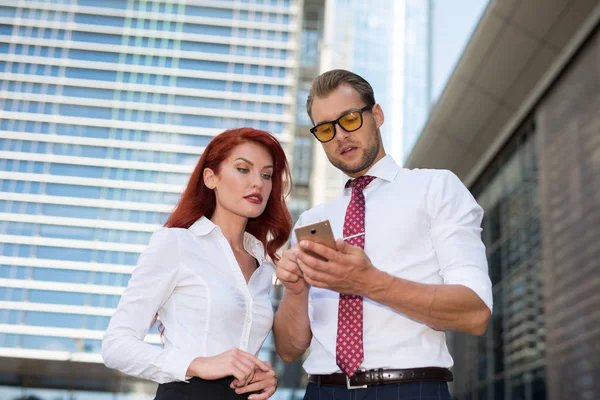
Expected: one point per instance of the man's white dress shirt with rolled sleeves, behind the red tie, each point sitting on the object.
(420, 225)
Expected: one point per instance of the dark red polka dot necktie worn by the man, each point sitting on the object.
(349, 353)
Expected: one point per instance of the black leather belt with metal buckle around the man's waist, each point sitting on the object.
(364, 378)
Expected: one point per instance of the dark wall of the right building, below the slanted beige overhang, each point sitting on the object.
(541, 224)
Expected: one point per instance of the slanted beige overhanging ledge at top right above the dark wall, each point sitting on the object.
(516, 51)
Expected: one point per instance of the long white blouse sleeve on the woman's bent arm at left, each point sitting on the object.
(152, 282)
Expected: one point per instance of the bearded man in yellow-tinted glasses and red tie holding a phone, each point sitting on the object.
(375, 313)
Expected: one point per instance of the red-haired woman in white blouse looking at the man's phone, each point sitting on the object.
(208, 275)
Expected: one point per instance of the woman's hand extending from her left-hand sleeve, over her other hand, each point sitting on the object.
(241, 365)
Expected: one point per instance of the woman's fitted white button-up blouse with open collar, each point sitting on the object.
(192, 279)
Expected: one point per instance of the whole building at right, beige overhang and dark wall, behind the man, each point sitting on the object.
(518, 121)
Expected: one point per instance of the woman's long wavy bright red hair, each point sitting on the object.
(274, 225)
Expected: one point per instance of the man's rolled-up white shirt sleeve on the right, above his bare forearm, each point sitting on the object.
(456, 234)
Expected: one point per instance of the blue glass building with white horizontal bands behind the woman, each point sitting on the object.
(105, 106)
